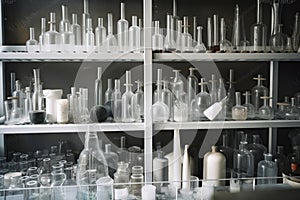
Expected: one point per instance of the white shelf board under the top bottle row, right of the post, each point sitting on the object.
(169, 57)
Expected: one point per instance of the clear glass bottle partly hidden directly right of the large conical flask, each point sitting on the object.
(112, 160)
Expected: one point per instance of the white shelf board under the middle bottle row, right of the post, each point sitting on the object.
(227, 124)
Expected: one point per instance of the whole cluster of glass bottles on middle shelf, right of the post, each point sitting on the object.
(175, 104)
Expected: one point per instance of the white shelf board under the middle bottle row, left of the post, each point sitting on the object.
(69, 128)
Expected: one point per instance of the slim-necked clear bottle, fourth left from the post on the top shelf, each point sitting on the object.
(111, 41)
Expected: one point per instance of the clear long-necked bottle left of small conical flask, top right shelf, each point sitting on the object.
(186, 38)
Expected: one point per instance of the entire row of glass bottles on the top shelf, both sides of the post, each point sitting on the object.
(73, 37)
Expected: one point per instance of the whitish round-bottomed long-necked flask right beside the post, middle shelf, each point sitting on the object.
(160, 110)
